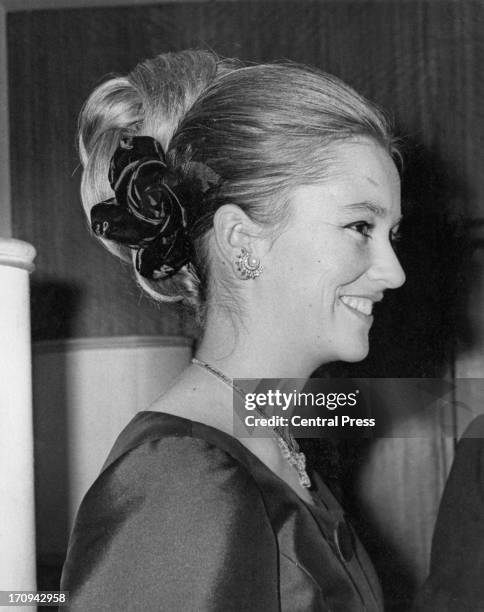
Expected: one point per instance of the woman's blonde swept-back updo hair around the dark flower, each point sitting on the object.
(264, 129)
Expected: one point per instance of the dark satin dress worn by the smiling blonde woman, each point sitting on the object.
(184, 518)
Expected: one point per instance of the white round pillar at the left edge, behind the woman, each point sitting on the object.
(17, 511)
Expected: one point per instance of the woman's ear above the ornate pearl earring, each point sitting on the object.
(235, 233)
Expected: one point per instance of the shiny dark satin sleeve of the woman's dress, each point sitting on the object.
(175, 524)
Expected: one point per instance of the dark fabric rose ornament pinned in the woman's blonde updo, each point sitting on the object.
(146, 213)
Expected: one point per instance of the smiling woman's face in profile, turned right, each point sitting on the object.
(335, 258)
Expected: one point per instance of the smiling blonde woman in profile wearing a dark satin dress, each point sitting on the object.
(267, 198)
